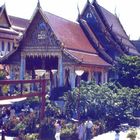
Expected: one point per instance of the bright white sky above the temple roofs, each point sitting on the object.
(127, 10)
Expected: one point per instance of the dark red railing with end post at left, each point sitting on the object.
(13, 89)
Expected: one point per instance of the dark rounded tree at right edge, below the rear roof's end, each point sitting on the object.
(128, 69)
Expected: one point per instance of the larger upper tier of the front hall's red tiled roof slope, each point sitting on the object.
(70, 33)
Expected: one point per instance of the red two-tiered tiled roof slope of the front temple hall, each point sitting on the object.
(74, 40)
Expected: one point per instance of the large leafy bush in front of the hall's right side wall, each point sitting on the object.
(109, 102)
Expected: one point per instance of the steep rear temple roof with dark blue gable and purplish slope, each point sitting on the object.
(105, 32)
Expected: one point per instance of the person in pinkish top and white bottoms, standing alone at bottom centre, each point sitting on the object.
(57, 129)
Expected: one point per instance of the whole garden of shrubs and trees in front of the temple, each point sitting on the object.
(108, 105)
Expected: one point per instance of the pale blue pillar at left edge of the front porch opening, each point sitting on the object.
(22, 67)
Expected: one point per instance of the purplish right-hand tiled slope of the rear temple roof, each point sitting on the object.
(117, 29)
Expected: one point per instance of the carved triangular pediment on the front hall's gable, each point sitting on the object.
(39, 33)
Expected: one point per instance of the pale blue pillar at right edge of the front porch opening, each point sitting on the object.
(60, 71)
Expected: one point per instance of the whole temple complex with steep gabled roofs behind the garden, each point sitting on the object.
(59, 46)
